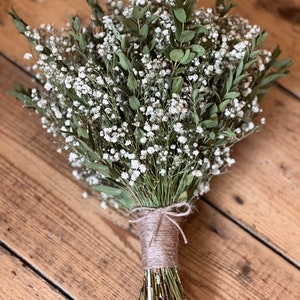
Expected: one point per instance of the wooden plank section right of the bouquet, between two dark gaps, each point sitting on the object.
(262, 190)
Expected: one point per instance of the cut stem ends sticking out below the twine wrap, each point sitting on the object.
(161, 284)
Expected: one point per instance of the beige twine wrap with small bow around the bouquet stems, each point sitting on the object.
(159, 233)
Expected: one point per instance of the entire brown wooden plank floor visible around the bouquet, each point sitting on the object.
(244, 241)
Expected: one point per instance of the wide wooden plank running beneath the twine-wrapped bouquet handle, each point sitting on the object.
(44, 219)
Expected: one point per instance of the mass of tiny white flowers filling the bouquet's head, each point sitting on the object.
(125, 112)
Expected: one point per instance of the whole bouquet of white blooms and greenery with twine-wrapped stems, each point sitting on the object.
(149, 100)
